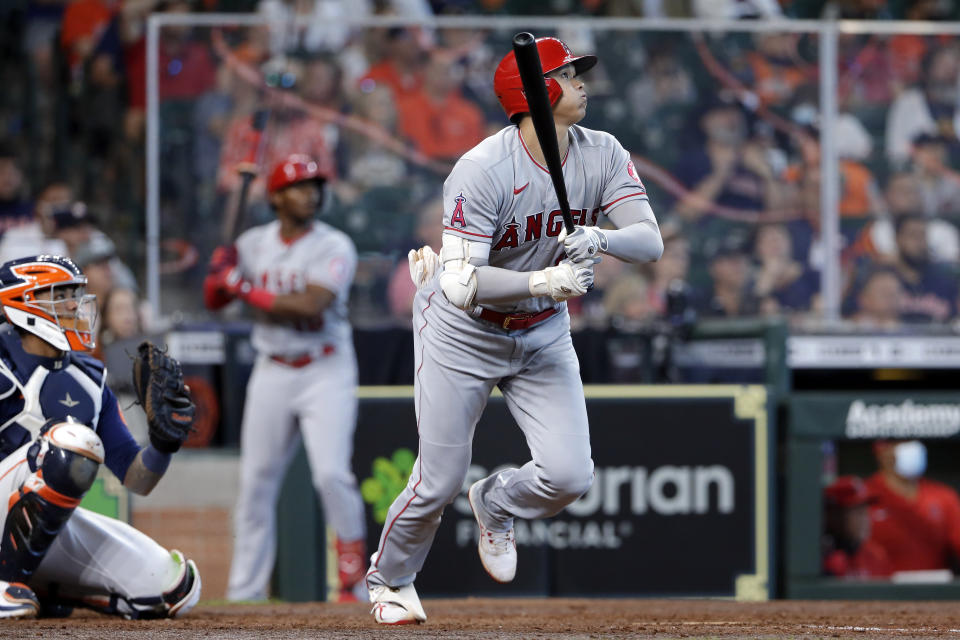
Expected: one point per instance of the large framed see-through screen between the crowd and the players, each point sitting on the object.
(723, 126)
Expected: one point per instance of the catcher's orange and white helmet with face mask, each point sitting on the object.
(46, 295)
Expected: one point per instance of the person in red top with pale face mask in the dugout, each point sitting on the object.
(914, 519)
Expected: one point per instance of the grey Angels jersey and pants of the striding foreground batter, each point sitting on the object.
(498, 194)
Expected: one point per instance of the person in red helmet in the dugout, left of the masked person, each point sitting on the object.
(848, 551)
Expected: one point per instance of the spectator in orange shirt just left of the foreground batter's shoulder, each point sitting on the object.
(439, 121)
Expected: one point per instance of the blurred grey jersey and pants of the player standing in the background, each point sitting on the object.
(305, 376)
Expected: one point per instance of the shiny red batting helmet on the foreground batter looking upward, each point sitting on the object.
(553, 54)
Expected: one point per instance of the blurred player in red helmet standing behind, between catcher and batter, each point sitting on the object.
(295, 272)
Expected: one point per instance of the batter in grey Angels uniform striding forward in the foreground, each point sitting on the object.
(490, 311)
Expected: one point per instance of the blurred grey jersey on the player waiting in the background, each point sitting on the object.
(324, 256)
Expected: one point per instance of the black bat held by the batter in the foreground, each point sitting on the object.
(541, 112)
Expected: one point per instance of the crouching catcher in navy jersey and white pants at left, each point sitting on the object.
(58, 423)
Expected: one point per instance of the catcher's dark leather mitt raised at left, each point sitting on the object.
(158, 381)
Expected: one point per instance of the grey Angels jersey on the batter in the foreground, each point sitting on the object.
(498, 194)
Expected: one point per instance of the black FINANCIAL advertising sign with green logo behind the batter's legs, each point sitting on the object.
(678, 505)
